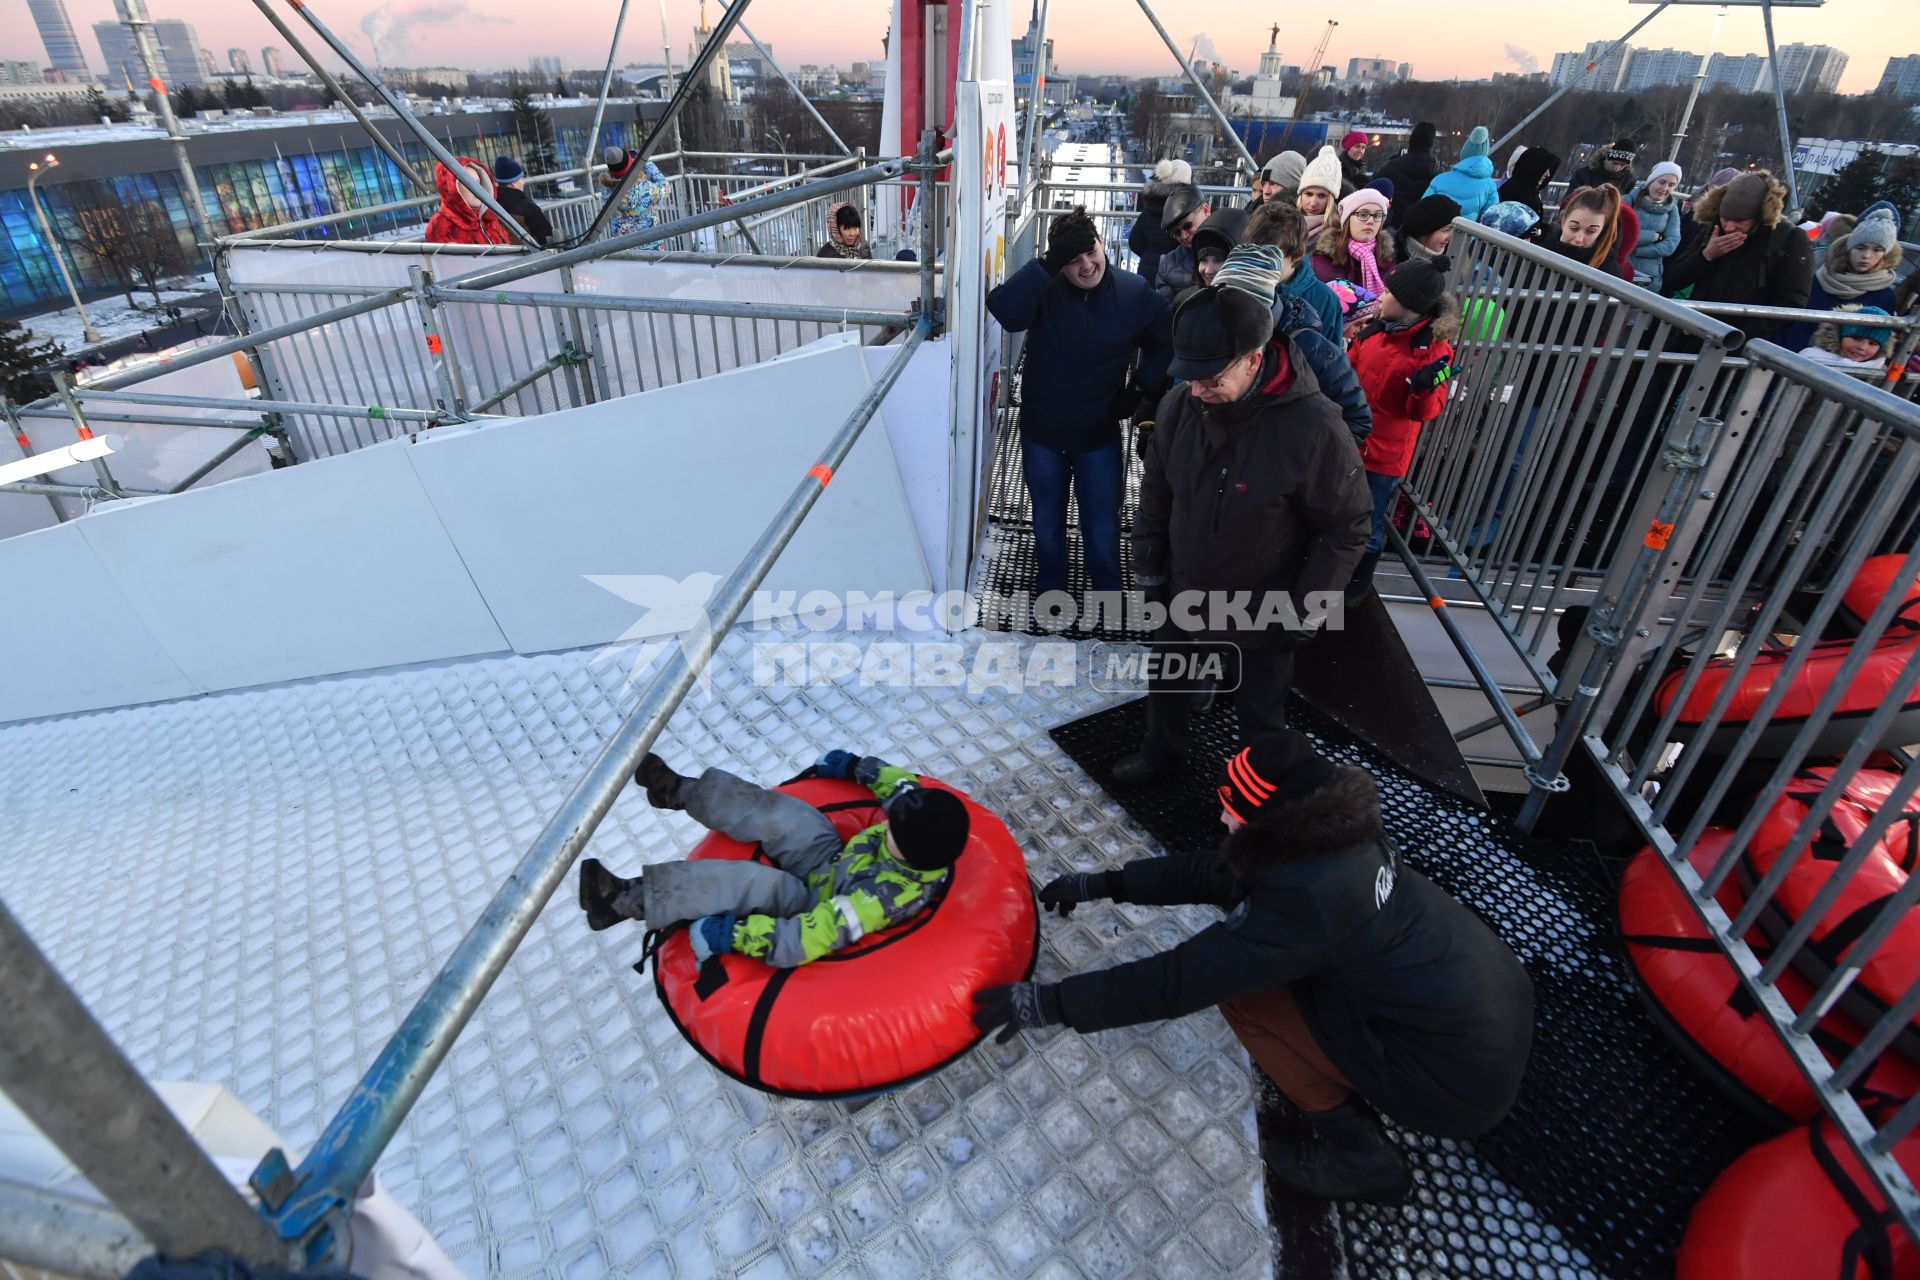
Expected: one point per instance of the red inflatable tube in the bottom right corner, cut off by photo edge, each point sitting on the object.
(1800, 1208)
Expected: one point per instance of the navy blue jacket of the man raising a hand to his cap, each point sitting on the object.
(1080, 344)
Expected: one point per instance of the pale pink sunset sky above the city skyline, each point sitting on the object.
(1468, 39)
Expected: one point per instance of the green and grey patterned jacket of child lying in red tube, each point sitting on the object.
(863, 891)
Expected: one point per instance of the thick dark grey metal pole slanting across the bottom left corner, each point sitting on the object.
(74, 1083)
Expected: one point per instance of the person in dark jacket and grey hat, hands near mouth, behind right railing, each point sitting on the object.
(1752, 254)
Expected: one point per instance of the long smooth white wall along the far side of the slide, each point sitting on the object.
(475, 540)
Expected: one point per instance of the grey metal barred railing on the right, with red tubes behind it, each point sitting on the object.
(1656, 511)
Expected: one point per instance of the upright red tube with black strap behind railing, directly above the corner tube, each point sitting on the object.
(1698, 999)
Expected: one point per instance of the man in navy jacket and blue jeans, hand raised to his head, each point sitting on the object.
(1084, 325)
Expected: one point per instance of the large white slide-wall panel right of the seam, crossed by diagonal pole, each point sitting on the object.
(613, 521)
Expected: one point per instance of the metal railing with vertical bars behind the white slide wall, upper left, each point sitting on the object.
(348, 366)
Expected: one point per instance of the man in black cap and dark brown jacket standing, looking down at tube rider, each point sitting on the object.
(1253, 506)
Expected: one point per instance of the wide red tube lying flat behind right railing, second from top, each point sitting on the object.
(1863, 698)
